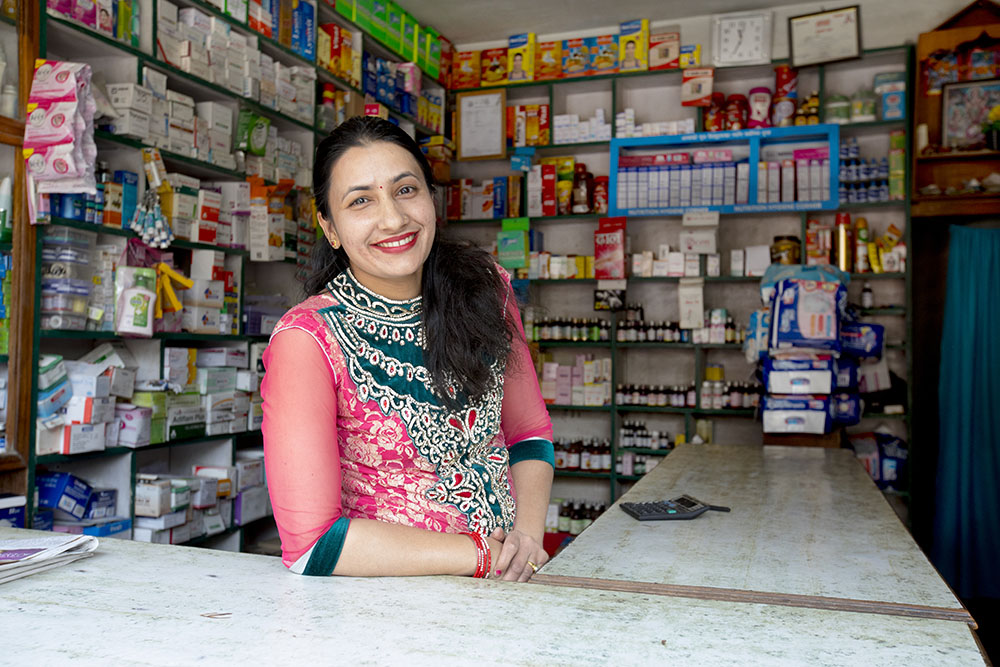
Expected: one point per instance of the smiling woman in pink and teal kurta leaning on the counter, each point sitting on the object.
(401, 407)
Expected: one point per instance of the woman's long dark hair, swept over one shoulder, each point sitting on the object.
(465, 322)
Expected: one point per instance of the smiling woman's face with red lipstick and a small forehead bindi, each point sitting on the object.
(383, 216)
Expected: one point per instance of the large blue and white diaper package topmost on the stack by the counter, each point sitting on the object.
(805, 316)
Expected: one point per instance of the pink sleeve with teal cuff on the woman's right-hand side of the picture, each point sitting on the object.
(524, 419)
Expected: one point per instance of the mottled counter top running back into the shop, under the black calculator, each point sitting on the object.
(805, 521)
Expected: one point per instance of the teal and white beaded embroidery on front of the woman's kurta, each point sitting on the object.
(382, 345)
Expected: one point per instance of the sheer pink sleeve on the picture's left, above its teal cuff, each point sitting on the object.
(300, 441)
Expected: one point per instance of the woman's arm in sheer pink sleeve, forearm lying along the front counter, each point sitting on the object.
(303, 475)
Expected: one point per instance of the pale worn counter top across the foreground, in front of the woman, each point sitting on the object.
(135, 603)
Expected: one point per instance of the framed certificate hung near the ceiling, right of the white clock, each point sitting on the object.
(825, 37)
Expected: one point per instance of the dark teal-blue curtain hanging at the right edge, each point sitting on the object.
(967, 524)
